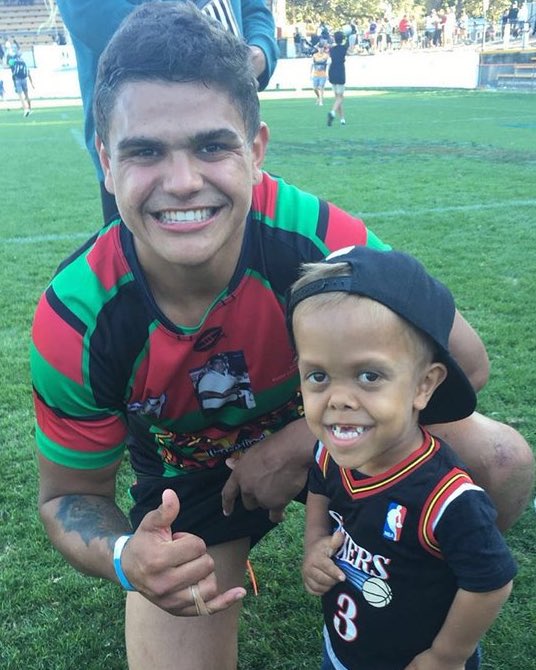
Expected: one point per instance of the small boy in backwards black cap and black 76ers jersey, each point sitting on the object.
(419, 569)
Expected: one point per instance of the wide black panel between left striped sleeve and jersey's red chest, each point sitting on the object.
(121, 331)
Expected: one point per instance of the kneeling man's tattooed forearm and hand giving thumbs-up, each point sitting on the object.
(83, 522)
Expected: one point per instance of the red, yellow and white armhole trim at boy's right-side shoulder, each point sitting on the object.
(447, 490)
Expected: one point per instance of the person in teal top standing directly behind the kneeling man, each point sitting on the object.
(91, 23)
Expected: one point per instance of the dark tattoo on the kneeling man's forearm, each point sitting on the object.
(92, 517)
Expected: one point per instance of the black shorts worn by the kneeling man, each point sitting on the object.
(201, 507)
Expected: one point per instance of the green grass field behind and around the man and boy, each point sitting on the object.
(448, 176)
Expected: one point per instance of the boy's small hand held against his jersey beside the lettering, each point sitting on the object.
(319, 572)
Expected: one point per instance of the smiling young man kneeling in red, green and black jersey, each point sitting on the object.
(197, 265)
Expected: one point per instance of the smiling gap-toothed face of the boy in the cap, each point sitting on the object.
(364, 379)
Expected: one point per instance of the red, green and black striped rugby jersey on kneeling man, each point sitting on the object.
(110, 371)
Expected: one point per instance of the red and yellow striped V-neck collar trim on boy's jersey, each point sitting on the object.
(361, 488)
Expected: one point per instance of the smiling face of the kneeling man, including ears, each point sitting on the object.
(179, 165)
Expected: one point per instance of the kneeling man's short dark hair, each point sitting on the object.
(175, 42)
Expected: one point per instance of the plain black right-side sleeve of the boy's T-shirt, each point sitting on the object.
(472, 545)
